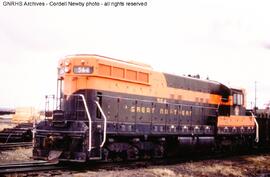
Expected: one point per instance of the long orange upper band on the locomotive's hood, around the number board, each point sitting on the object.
(127, 77)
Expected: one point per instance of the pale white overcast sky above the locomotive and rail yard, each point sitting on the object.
(227, 41)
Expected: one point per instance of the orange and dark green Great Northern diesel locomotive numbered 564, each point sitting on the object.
(109, 109)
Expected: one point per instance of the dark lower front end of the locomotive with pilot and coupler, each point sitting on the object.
(61, 143)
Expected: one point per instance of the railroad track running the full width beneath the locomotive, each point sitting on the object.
(33, 166)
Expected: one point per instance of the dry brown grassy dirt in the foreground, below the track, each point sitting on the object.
(237, 166)
